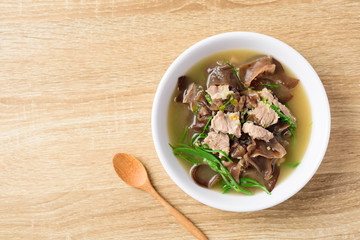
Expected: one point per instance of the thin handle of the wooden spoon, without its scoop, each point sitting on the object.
(180, 217)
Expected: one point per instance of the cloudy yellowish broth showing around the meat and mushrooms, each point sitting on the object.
(179, 115)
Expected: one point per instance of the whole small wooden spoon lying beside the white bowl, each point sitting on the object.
(132, 172)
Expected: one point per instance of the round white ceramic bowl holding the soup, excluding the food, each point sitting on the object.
(319, 109)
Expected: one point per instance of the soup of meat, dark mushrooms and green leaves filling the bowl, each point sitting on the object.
(239, 121)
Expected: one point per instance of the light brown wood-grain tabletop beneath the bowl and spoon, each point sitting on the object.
(77, 84)
